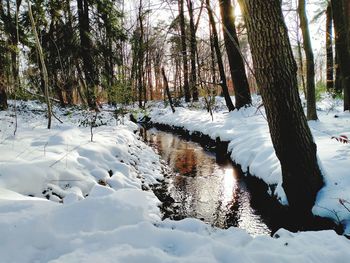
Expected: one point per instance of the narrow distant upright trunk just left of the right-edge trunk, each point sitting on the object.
(329, 49)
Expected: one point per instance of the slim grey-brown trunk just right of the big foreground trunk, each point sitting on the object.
(310, 64)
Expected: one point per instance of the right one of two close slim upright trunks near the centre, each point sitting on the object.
(193, 48)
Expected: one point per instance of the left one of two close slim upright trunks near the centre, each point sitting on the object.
(184, 51)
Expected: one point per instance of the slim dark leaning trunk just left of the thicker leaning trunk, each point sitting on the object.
(223, 83)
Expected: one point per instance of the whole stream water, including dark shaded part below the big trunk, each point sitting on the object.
(211, 188)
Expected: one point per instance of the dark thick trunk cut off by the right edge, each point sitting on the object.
(342, 47)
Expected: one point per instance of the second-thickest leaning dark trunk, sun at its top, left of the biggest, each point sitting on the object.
(237, 69)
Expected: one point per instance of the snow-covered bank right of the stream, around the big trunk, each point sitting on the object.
(251, 147)
